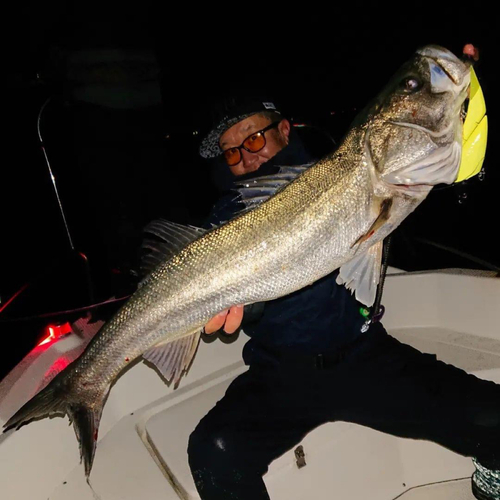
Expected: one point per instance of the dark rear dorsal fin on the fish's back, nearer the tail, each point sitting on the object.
(163, 240)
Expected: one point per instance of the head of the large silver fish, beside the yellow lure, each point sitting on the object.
(413, 136)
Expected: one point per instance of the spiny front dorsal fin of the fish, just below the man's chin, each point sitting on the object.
(255, 191)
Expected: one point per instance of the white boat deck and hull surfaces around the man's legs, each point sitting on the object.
(141, 452)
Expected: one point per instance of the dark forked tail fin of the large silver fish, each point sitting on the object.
(54, 399)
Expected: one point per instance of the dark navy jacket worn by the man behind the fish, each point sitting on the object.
(317, 319)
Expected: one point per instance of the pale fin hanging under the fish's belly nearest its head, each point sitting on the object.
(361, 274)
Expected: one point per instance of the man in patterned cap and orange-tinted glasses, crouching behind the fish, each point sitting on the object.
(310, 360)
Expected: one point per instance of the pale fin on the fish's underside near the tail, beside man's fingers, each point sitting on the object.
(172, 359)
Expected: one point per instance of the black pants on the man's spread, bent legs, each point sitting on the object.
(379, 383)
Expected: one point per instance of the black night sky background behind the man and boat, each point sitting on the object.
(128, 93)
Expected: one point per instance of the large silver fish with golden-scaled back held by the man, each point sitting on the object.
(332, 215)
